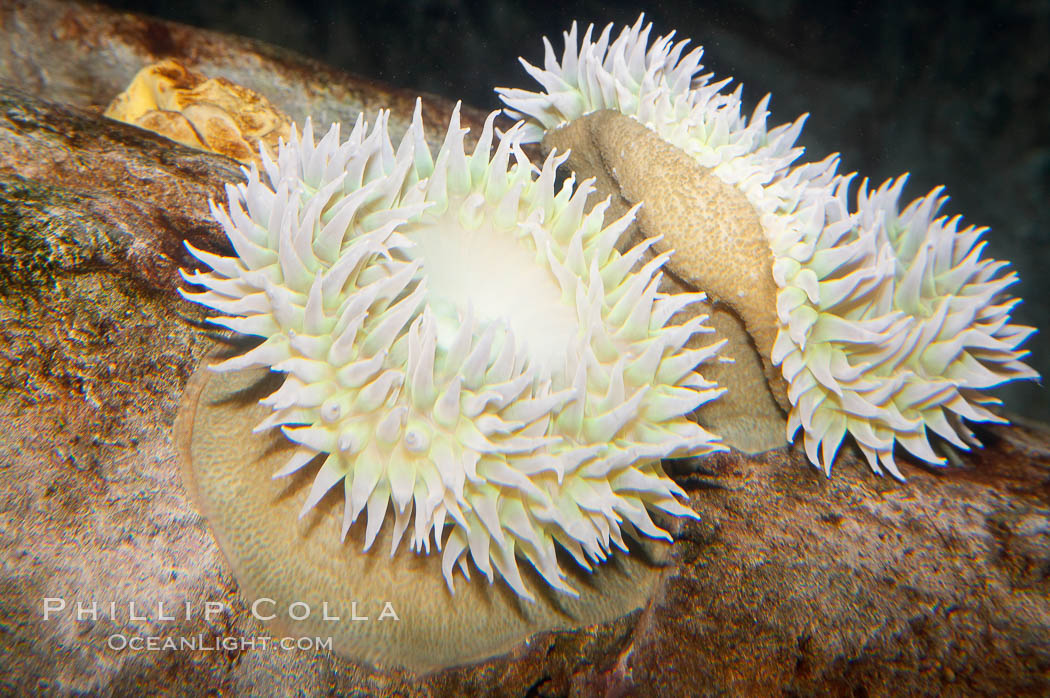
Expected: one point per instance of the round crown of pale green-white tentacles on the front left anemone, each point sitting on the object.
(464, 341)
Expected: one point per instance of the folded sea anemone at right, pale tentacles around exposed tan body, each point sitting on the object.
(884, 324)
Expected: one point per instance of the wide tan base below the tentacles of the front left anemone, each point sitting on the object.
(280, 562)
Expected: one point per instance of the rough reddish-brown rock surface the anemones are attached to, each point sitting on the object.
(791, 584)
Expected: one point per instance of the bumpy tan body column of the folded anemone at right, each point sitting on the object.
(701, 219)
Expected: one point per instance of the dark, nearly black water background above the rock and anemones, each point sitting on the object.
(955, 93)
